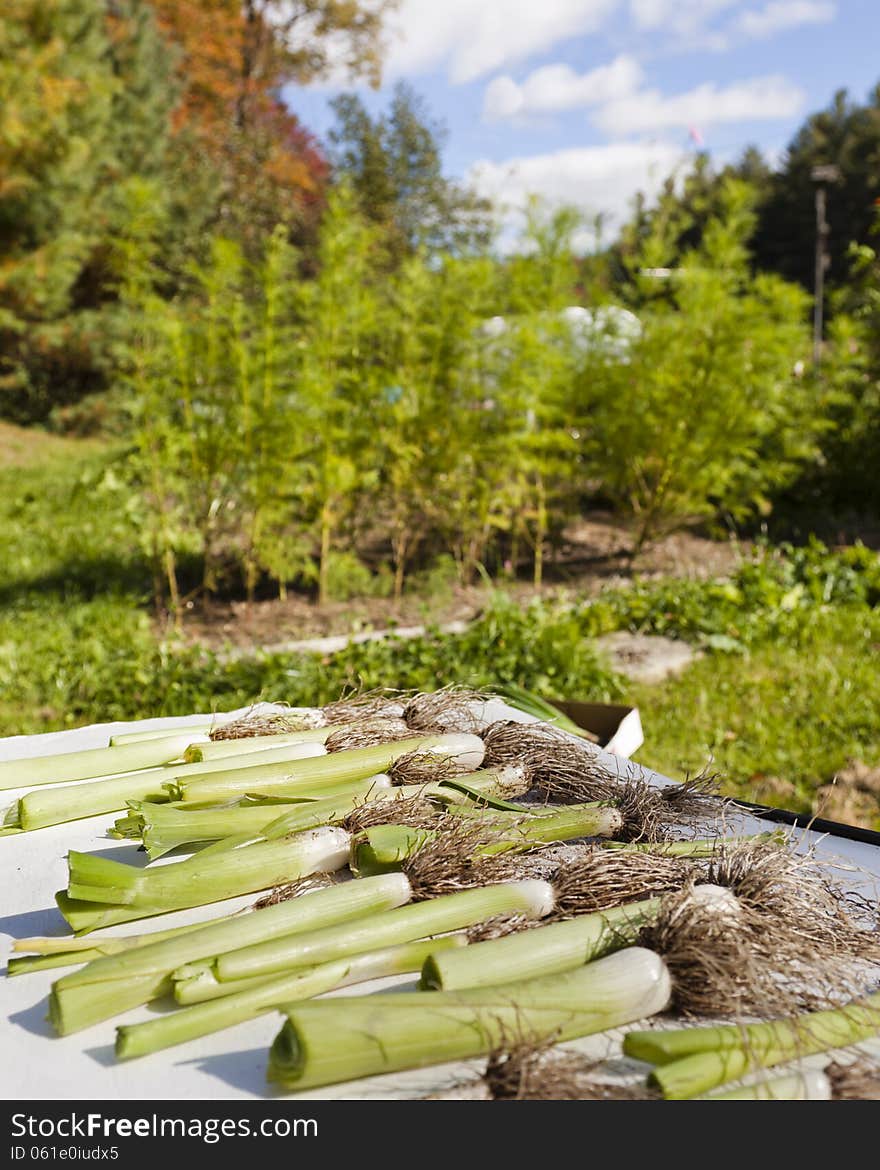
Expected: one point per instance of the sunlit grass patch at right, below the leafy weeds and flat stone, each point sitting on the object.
(781, 721)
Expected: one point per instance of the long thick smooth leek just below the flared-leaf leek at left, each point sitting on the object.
(111, 986)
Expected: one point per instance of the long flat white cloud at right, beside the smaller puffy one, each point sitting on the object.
(755, 100)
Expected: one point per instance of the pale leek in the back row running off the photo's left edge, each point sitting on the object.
(57, 807)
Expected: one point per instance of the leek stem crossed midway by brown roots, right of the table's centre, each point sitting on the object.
(386, 848)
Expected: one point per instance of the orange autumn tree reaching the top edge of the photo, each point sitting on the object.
(235, 57)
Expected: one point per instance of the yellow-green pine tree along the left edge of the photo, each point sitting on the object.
(85, 107)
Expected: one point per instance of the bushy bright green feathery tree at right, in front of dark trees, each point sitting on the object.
(709, 414)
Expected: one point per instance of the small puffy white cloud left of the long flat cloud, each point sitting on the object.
(559, 87)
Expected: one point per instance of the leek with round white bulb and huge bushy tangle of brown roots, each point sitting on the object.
(733, 945)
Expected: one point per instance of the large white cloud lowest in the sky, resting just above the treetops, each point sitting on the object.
(599, 180)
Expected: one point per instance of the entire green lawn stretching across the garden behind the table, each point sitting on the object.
(787, 691)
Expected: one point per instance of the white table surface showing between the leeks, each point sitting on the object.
(230, 1065)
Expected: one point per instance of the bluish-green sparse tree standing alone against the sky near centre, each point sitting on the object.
(394, 164)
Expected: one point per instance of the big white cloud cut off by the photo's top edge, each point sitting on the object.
(472, 38)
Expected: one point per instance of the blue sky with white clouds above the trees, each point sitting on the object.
(590, 101)
